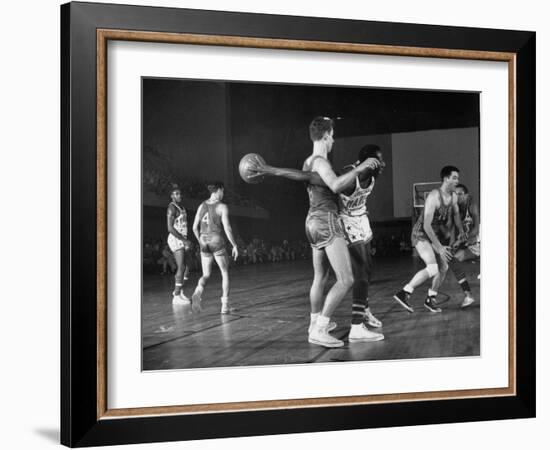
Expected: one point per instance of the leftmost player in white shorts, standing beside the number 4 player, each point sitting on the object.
(176, 220)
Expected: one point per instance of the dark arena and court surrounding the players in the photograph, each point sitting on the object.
(197, 131)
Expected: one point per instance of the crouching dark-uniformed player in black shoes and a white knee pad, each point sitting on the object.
(430, 236)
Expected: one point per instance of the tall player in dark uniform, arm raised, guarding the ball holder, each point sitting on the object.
(326, 236)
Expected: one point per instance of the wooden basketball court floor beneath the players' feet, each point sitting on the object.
(269, 324)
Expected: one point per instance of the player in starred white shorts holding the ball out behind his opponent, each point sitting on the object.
(353, 213)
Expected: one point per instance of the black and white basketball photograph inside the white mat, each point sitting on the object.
(288, 224)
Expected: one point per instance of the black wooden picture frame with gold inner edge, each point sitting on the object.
(86, 418)
